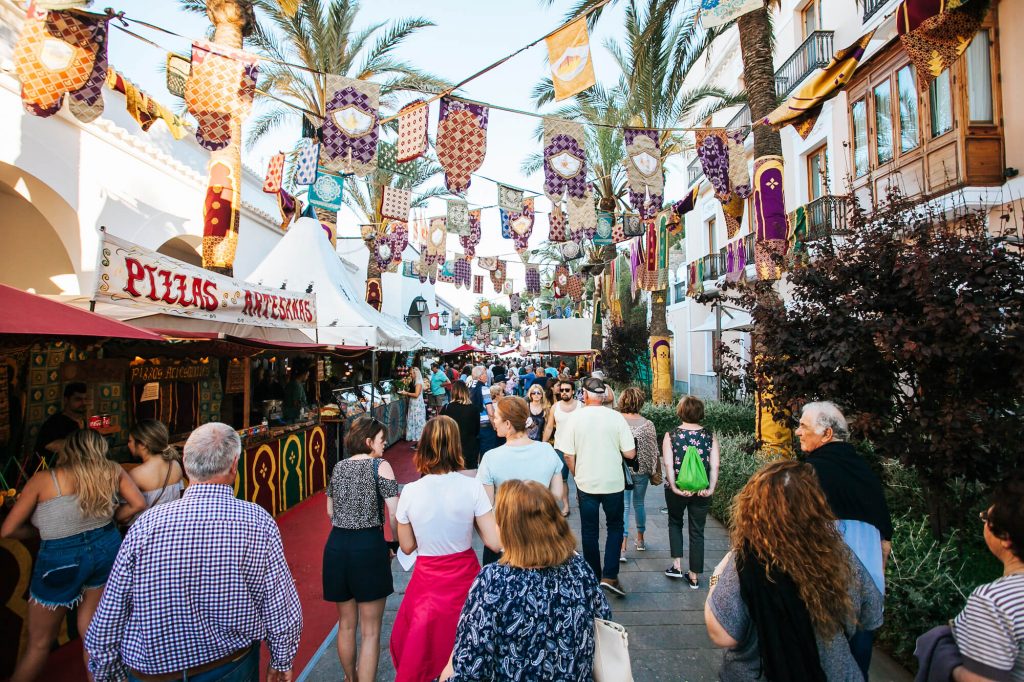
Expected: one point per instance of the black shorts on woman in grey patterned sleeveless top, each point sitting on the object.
(357, 566)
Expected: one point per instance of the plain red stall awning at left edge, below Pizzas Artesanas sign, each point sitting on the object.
(28, 314)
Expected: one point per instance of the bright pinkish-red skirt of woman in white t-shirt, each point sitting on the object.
(423, 635)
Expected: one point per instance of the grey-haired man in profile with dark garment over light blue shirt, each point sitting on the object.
(857, 498)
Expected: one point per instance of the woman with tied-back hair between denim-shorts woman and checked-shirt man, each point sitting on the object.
(160, 477)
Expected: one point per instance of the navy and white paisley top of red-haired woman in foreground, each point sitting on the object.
(530, 624)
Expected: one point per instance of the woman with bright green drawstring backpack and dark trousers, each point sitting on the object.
(692, 456)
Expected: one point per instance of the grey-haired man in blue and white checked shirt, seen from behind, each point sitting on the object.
(199, 584)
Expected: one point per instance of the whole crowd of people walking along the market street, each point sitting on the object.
(200, 580)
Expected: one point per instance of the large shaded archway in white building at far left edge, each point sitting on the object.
(33, 255)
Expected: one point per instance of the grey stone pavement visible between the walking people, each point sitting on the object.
(664, 617)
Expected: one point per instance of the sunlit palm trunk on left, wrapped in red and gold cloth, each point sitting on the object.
(232, 20)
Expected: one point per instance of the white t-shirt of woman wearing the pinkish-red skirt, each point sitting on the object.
(442, 509)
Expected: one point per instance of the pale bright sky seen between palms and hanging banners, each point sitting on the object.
(468, 36)
